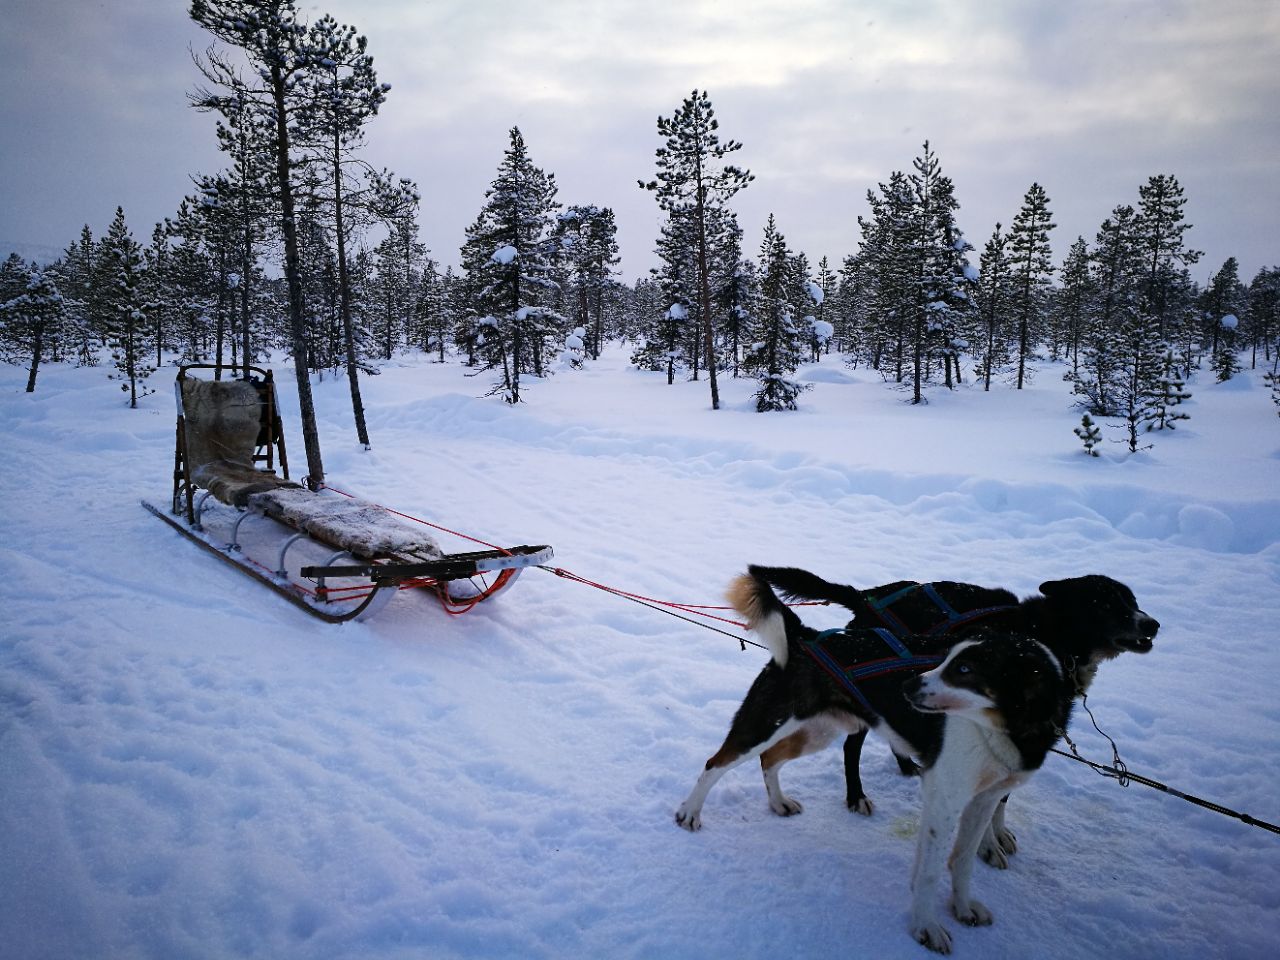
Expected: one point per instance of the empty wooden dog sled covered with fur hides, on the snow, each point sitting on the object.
(331, 554)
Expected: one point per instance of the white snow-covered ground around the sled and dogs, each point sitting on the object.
(191, 767)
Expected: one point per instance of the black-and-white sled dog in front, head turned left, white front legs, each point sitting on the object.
(980, 724)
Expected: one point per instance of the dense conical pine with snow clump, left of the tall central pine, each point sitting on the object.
(515, 300)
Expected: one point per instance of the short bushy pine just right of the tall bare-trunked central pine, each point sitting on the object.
(780, 341)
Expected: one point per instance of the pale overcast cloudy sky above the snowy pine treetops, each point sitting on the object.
(829, 98)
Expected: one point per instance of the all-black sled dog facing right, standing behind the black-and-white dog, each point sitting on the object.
(1085, 621)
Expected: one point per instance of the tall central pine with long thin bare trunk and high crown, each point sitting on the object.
(693, 180)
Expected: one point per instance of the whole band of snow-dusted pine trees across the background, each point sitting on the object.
(300, 246)
